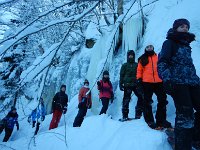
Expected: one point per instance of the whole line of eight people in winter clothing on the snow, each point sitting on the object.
(171, 72)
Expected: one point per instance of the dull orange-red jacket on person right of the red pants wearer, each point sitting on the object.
(82, 93)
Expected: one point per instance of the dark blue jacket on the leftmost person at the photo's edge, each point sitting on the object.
(10, 120)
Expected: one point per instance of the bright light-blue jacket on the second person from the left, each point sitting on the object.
(37, 113)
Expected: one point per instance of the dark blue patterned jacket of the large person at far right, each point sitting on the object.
(175, 63)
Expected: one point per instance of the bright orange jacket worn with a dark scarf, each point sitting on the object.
(149, 72)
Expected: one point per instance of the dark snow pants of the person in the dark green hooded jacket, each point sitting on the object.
(126, 100)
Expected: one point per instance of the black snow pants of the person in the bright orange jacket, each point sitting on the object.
(149, 89)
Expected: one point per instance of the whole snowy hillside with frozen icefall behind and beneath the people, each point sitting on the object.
(103, 132)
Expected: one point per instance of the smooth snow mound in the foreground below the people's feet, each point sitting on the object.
(97, 132)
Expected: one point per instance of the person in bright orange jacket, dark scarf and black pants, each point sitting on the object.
(147, 75)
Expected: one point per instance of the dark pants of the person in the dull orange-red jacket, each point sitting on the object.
(80, 117)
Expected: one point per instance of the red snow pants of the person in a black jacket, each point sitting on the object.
(55, 119)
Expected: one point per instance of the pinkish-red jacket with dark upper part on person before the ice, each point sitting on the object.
(105, 89)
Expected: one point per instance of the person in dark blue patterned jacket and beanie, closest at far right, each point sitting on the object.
(176, 68)
